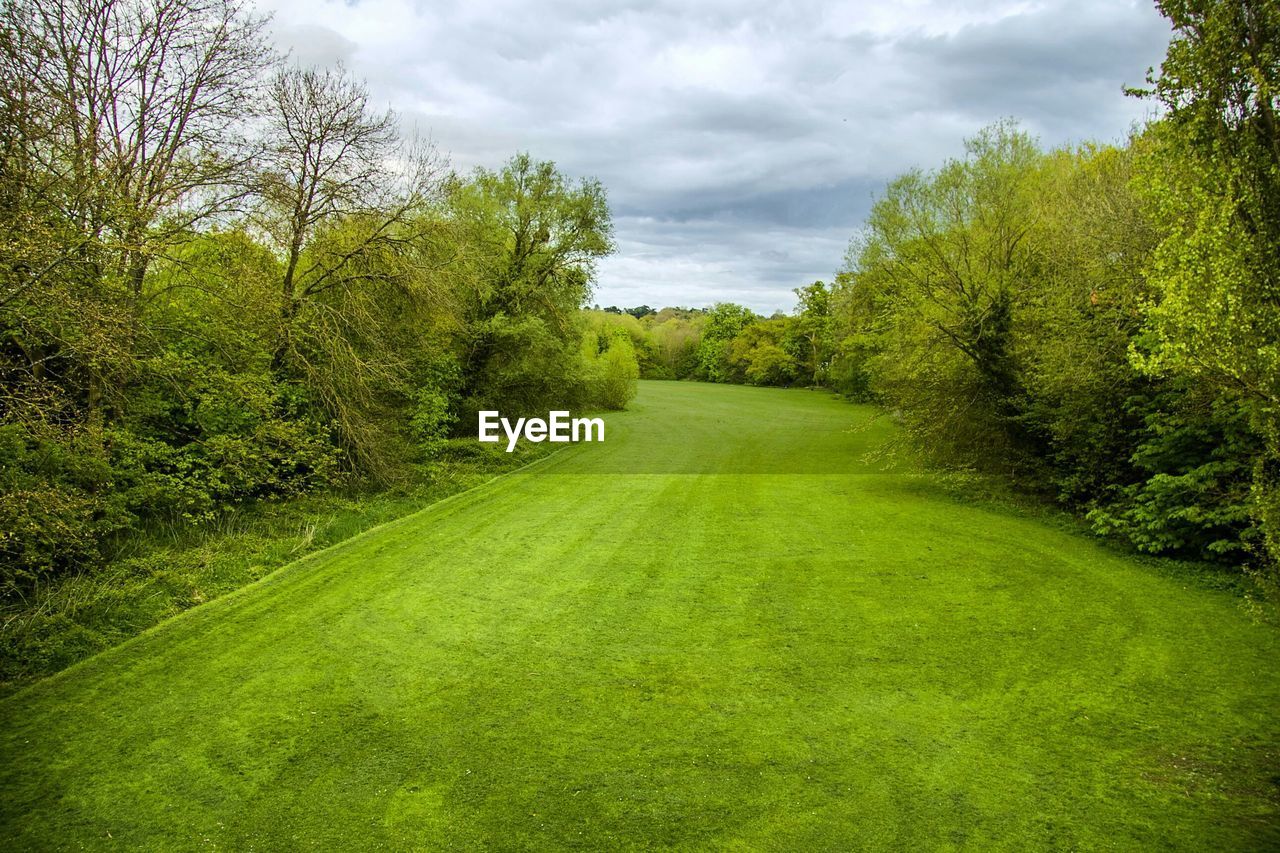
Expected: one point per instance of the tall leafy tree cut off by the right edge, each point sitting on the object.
(1213, 181)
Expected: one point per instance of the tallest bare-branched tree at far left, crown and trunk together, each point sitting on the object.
(126, 129)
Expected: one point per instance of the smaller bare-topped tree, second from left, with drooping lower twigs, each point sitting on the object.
(346, 204)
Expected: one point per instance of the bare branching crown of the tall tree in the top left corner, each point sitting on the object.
(139, 107)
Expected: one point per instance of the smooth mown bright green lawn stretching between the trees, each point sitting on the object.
(720, 630)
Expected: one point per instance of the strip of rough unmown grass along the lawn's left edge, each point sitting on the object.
(170, 568)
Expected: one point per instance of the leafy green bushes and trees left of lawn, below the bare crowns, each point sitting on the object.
(237, 378)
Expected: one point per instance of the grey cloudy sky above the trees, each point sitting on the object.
(742, 143)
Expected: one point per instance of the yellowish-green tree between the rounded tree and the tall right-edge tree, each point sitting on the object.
(1084, 400)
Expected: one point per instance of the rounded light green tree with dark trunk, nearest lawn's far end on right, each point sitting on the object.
(947, 263)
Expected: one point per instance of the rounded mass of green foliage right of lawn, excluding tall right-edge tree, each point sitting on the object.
(1008, 311)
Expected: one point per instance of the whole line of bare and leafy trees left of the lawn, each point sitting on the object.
(226, 277)
